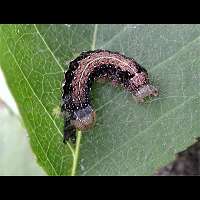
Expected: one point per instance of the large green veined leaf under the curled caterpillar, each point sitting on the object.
(128, 138)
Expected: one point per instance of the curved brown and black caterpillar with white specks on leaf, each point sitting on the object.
(83, 71)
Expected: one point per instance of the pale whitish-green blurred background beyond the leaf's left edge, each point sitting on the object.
(16, 157)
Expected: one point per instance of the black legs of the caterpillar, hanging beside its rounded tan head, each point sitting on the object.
(69, 132)
